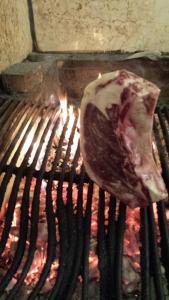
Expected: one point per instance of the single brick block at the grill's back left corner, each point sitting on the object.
(33, 81)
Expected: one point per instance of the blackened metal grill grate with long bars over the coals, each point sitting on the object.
(75, 228)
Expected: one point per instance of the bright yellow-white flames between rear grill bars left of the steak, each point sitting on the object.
(66, 111)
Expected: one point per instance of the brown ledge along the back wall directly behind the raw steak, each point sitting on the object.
(77, 70)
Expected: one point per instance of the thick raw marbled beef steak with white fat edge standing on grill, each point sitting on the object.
(116, 137)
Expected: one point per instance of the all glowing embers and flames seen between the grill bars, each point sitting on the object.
(69, 152)
